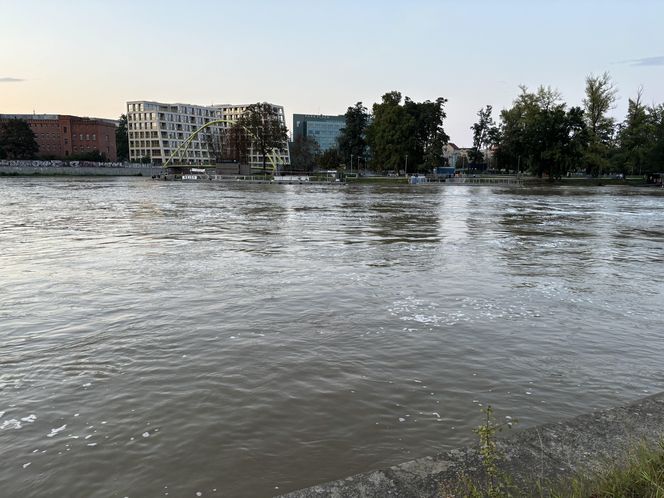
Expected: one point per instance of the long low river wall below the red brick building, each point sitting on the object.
(75, 168)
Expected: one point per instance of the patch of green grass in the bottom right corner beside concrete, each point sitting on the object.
(642, 477)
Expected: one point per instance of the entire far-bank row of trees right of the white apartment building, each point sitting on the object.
(539, 133)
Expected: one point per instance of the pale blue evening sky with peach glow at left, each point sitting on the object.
(89, 57)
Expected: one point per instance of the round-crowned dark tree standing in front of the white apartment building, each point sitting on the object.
(266, 131)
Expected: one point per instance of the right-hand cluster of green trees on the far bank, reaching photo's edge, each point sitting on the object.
(540, 133)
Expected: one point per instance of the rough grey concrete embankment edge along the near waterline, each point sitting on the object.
(534, 459)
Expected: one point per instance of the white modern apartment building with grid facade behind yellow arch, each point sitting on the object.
(156, 130)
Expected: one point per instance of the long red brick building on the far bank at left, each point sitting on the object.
(61, 135)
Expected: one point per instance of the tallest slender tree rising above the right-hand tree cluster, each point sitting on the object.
(600, 97)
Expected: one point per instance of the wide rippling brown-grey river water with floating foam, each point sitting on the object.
(247, 340)
